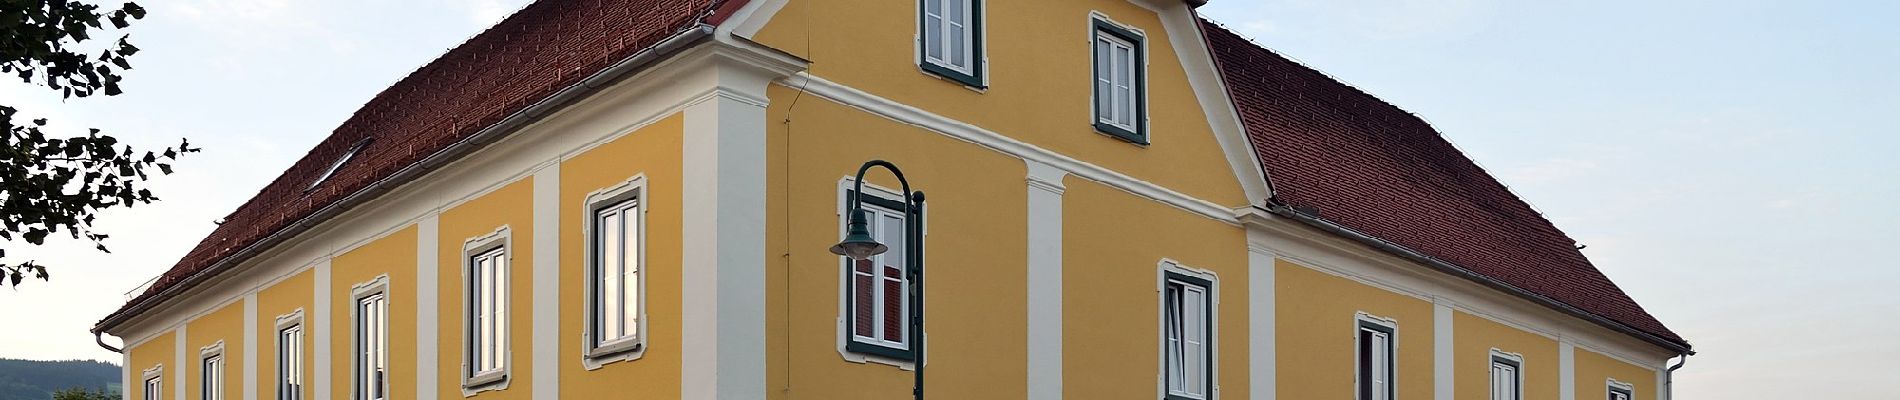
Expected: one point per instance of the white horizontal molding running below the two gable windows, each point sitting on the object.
(1006, 145)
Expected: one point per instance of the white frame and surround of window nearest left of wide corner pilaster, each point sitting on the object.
(628, 200)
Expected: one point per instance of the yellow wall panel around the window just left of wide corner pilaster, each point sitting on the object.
(653, 151)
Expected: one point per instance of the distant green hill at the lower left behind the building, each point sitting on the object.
(37, 380)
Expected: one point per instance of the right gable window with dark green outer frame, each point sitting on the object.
(1120, 82)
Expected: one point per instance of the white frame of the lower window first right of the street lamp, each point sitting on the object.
(1173, 274)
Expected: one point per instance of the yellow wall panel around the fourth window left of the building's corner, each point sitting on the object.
(282, 299)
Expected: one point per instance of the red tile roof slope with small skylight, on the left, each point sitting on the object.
(544, 48)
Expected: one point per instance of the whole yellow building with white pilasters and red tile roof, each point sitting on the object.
(637, 198)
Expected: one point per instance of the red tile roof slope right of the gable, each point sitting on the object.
(1377, 170)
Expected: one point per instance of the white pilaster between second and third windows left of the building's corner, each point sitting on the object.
(427, 304)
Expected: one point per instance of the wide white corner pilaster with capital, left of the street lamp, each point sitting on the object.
(725, 206)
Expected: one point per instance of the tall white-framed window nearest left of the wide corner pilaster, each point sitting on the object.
(617, 257)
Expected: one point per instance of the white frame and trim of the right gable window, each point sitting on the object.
(1133, 126)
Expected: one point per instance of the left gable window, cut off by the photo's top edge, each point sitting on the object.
(951, 37)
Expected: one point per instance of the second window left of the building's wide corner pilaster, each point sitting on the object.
(487, 312)
